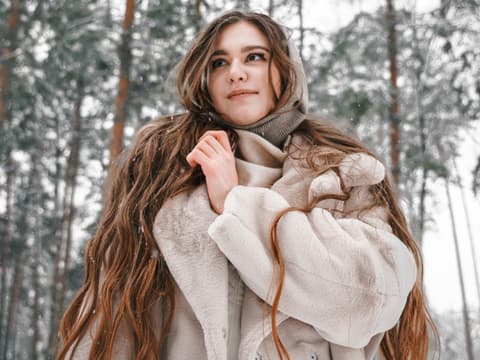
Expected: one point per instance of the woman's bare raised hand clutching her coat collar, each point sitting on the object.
(214, 155)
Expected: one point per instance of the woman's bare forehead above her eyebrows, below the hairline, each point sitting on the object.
(238, 35)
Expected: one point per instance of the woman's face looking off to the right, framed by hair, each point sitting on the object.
(238, 82)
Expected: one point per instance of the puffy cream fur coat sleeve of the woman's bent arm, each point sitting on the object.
(347, 277)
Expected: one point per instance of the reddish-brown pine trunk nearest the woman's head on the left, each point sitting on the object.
(123, 84)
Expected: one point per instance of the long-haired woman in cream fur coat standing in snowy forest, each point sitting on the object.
(244, 229)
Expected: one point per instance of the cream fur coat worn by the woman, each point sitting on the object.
(347, 277)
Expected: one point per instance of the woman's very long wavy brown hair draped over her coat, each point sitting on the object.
(126, 278)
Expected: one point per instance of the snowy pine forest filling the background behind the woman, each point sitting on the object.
(78, 78)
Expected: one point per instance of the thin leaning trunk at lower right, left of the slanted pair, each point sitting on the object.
(466, 320)
